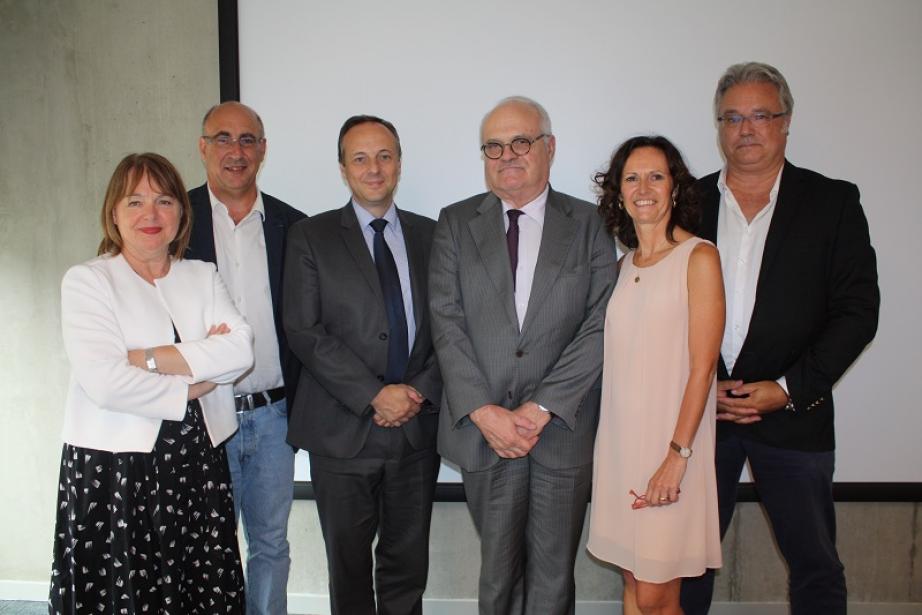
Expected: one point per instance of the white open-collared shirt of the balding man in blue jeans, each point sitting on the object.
(241, 254)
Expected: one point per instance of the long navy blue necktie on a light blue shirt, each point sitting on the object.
(398, 351)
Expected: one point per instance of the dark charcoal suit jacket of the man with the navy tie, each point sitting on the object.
(336, 323)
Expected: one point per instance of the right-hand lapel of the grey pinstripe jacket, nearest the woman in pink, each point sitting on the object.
(556, 237)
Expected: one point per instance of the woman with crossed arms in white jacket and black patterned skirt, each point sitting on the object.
(145, 519)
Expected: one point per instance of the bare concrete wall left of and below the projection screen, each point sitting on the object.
(84, 83)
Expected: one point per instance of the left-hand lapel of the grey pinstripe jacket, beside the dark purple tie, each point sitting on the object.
(487, 231)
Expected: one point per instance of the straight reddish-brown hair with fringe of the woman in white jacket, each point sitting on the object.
(127, 174)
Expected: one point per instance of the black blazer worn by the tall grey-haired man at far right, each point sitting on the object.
(816, 304)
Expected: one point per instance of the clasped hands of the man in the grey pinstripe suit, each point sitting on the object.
(511, 433)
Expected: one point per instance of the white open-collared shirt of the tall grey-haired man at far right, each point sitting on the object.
(741, 244)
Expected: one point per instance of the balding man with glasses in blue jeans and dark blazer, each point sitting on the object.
(244, 231)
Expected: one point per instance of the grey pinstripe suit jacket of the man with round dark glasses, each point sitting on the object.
(555, 360)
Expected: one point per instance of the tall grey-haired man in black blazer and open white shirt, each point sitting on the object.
(802, 303)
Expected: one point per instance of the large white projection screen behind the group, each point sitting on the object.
(607, 70)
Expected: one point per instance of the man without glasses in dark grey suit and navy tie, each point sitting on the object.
(367, 406)
